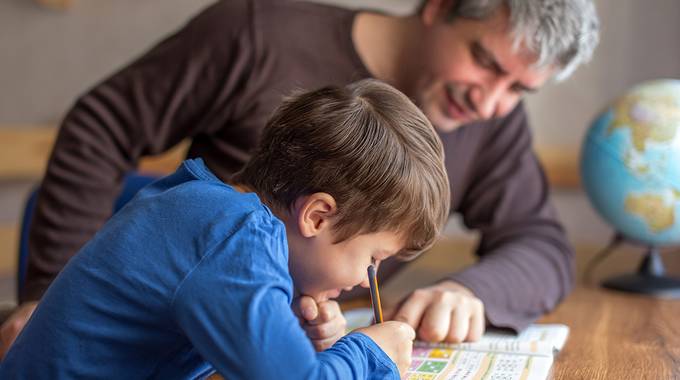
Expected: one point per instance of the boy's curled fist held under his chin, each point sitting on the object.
(323, 322)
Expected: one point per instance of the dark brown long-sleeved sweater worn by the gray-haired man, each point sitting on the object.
(219, 78)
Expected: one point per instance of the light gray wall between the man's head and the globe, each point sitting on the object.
(639, 41)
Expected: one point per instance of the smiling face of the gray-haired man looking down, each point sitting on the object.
(470, 70)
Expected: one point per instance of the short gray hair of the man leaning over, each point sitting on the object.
(561, 32)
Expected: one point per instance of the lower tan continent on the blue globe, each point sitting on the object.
(653, 208)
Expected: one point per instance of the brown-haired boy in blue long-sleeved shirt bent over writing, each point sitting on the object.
(197, 274)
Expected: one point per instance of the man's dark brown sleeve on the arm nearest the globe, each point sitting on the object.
(526, 265)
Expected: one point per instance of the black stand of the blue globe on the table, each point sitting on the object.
(649, 279)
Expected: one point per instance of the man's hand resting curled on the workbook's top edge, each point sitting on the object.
(446, 312)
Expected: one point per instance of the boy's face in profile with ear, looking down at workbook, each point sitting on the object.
(322, 269)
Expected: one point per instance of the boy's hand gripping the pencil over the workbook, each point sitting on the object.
(396, 339)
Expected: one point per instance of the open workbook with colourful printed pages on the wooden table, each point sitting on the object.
(498, 355)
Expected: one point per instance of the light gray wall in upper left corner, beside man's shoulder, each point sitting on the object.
(48, 57)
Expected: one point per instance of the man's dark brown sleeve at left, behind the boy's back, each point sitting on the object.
(180, 88)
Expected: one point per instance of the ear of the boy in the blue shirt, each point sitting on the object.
(315, 213)
